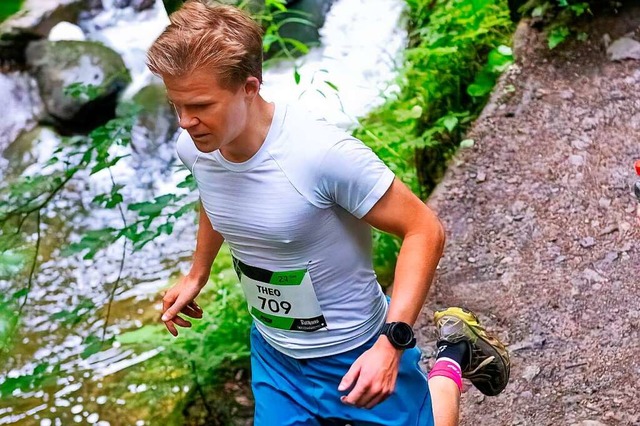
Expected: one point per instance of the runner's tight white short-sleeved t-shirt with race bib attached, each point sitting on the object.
(291, 216)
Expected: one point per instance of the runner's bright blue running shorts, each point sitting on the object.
(291, 391)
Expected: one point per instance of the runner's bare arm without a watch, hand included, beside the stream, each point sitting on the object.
(180, 298)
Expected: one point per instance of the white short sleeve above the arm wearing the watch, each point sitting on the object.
(353, 177)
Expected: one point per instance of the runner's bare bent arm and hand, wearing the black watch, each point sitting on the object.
(401, 213)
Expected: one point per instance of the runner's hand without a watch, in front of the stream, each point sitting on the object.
(180, 299)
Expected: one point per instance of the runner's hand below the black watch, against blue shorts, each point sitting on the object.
(372, 378)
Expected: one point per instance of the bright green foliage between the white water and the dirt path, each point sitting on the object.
(457, 50)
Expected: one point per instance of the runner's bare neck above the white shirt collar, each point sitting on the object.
(257, 128)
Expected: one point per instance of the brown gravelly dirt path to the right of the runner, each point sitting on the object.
(542, 239)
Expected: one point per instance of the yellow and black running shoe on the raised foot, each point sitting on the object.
(489, 366)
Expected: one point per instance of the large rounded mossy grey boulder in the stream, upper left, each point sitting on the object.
(57, 64)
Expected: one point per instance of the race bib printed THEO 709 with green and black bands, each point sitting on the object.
(281, 299)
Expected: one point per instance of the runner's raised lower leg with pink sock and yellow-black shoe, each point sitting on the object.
(466, 350)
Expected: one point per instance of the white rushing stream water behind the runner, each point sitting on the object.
(361, 41)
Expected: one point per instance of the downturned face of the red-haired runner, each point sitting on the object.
(213, 116)
